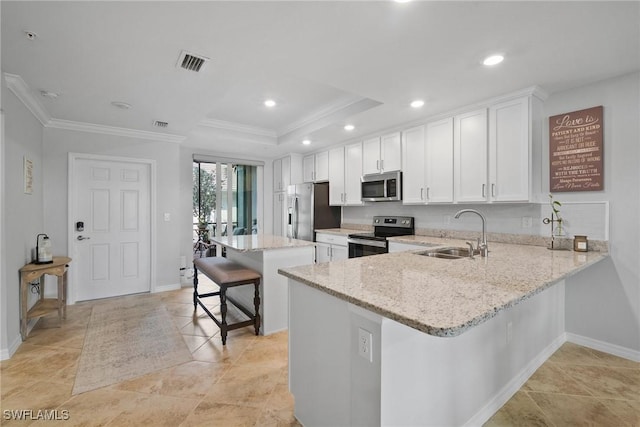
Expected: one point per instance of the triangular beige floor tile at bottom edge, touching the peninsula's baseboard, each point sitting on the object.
(519, 411)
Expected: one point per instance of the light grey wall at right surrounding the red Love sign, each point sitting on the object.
(603, 303)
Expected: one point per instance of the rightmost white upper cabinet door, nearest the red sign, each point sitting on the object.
(509, 151)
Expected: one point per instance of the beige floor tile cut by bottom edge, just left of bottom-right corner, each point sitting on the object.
(563, 410)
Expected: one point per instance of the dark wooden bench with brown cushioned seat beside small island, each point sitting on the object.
(227, 274)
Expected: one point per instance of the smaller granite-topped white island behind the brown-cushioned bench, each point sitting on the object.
(266, 254)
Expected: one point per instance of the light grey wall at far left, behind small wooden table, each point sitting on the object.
(22, 213)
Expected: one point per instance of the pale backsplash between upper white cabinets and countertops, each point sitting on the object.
(581, 218)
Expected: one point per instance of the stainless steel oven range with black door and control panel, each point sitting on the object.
(364, 244)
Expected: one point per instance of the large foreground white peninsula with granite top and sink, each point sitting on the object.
(416, 340)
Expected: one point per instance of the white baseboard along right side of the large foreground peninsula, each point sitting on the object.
(498, 401)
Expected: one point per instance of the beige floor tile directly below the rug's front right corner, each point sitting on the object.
(189, 380)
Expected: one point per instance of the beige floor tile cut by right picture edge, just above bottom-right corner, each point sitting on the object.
(607, 382)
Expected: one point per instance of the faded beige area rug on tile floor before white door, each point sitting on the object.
(127, 339)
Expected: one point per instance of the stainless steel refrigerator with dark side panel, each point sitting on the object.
(308, 210)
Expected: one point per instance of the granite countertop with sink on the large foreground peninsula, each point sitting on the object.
(438, 296)
